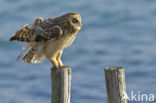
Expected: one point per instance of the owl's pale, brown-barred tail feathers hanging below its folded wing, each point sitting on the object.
(35, 55)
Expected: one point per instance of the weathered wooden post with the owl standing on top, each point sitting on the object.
(61, 83)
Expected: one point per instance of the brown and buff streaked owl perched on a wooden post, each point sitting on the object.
(47, 38)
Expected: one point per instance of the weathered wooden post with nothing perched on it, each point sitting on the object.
(115, 84)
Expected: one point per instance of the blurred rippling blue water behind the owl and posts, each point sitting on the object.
(114, 33)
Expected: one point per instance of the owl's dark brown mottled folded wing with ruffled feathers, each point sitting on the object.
(38, 32)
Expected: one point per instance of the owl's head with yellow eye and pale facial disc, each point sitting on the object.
(74, 20)
